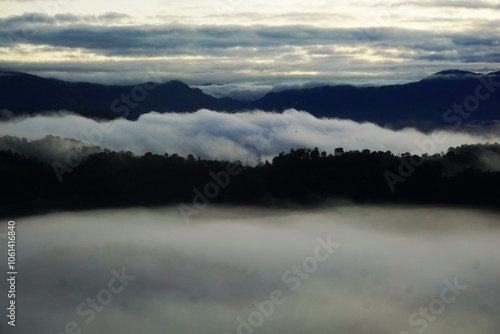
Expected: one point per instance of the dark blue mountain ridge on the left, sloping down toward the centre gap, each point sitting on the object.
(21, 92)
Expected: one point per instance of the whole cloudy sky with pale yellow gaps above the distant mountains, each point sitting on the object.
(248, 44)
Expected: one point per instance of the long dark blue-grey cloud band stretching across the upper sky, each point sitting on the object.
(182, 39)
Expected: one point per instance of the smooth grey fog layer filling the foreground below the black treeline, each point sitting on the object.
(344, 269)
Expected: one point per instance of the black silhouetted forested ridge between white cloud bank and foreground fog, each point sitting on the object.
(466, 175)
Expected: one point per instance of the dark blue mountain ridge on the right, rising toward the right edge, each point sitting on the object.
(423, 101)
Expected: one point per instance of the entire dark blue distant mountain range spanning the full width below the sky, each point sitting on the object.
(415, 103)
